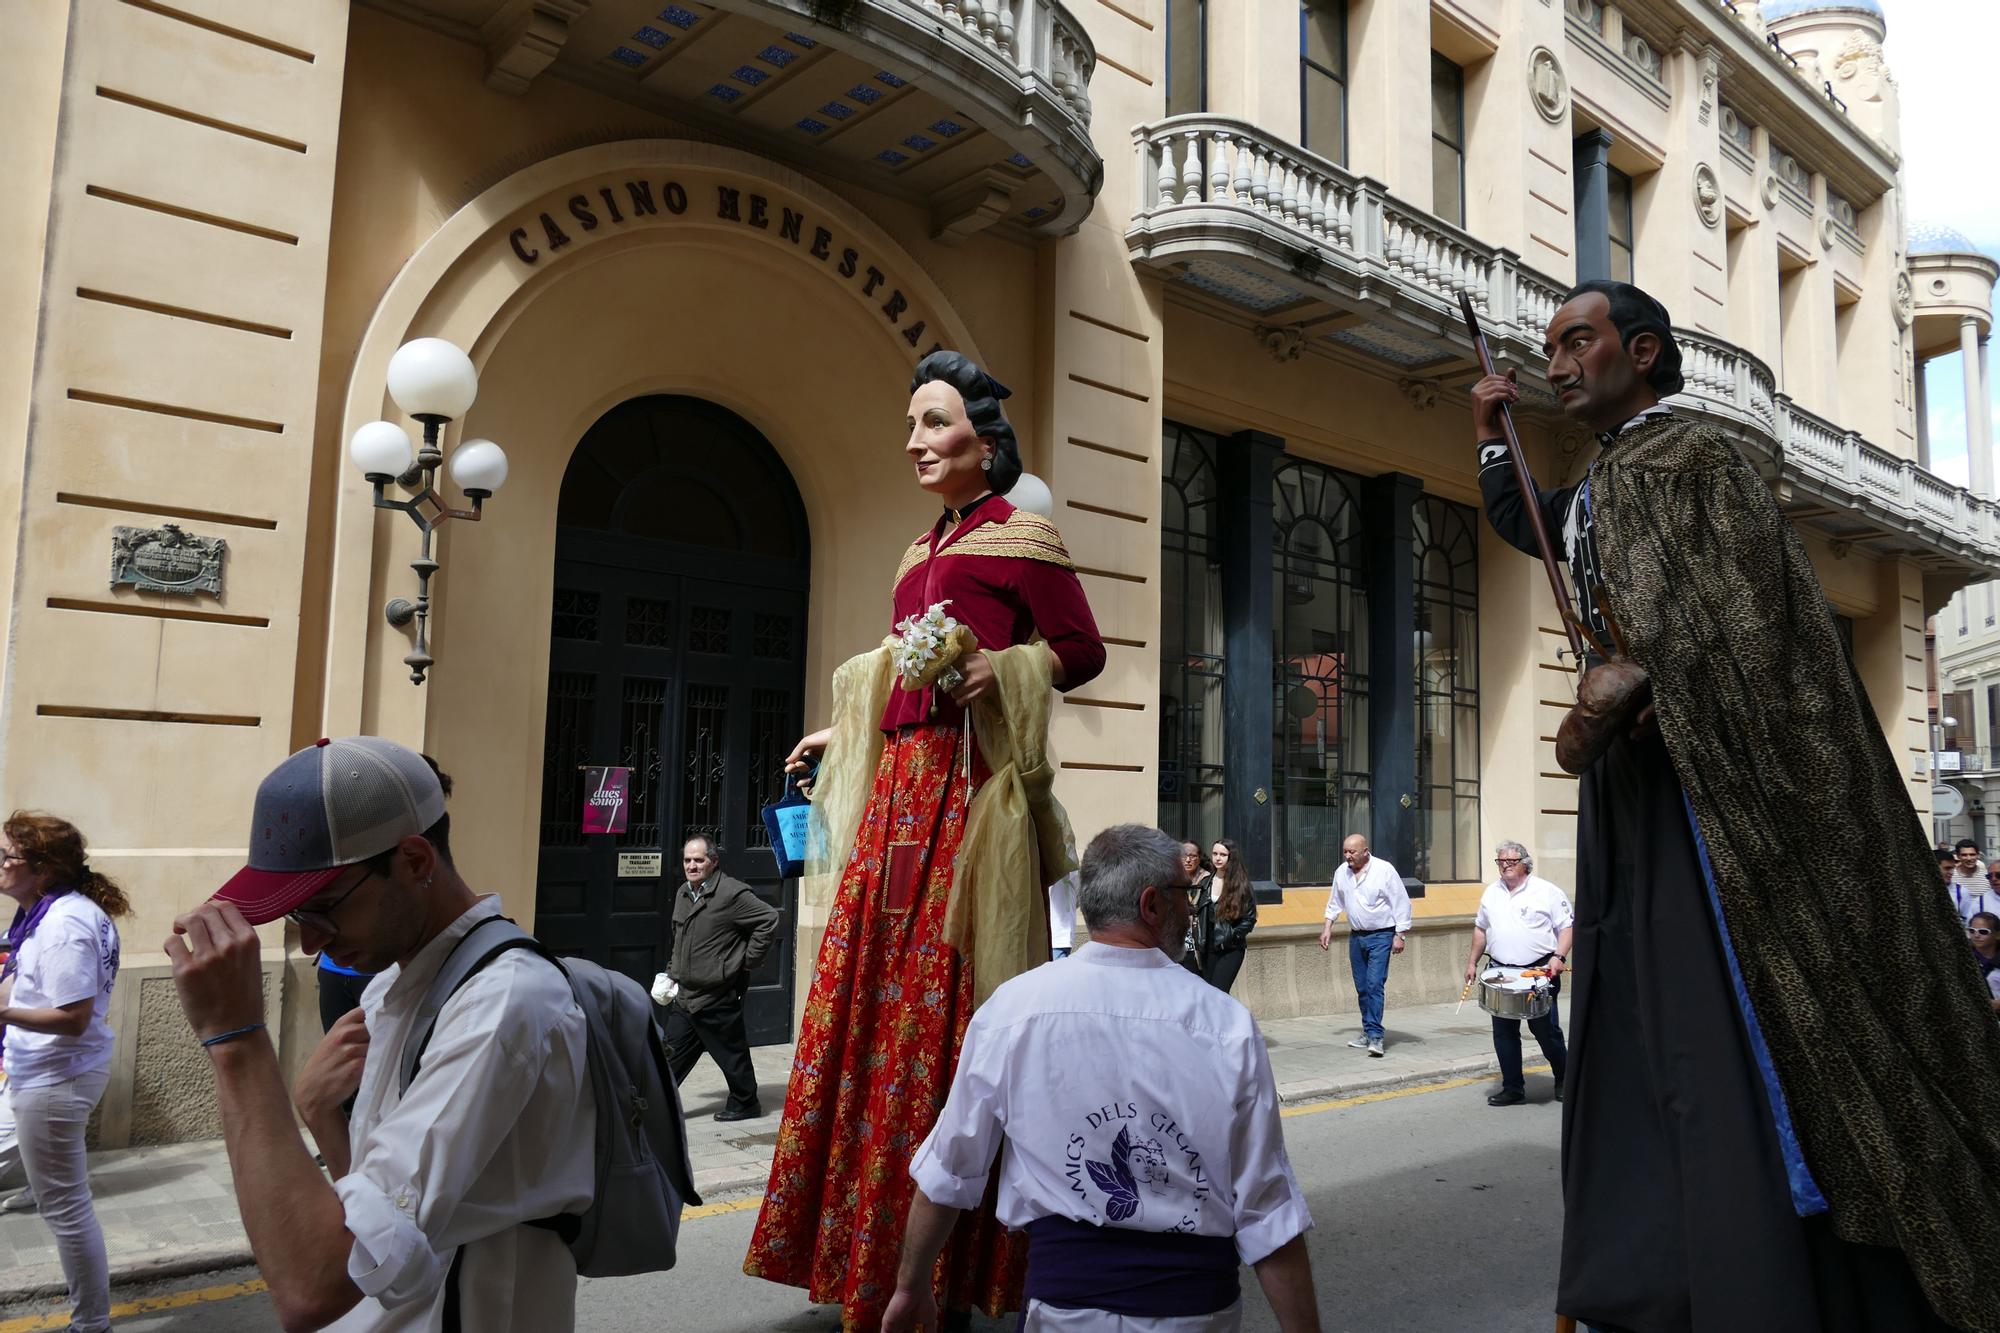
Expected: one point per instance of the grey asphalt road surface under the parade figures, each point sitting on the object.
(1433, 1214)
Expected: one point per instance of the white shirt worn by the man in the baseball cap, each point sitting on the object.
(497, 1130)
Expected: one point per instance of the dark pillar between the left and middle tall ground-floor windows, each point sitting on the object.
(1243, 475)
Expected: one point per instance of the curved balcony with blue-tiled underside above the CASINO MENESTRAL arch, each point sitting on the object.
(975, 109)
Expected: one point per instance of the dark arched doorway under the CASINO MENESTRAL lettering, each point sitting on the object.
(679, 649)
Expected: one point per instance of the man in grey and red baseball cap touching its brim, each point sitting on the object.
(425, 1222)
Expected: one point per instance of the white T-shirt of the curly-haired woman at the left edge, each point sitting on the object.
(73, 956)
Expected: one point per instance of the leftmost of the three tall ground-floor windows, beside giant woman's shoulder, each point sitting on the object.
(1191, 639)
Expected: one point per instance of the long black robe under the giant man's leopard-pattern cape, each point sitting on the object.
(1689, 1204)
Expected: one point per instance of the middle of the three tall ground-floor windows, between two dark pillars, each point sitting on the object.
(1321, 780)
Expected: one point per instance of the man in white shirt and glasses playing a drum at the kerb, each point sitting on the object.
(1525, 922)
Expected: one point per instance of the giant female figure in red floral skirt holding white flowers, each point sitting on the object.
(941, 832)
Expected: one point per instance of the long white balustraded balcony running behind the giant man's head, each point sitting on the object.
(1321, 255)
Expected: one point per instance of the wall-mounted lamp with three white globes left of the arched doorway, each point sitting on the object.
(435, 383)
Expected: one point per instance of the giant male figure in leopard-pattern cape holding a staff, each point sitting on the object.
(1785, 1084)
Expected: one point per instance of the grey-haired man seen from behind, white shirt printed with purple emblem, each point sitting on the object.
(1141, 1120)
